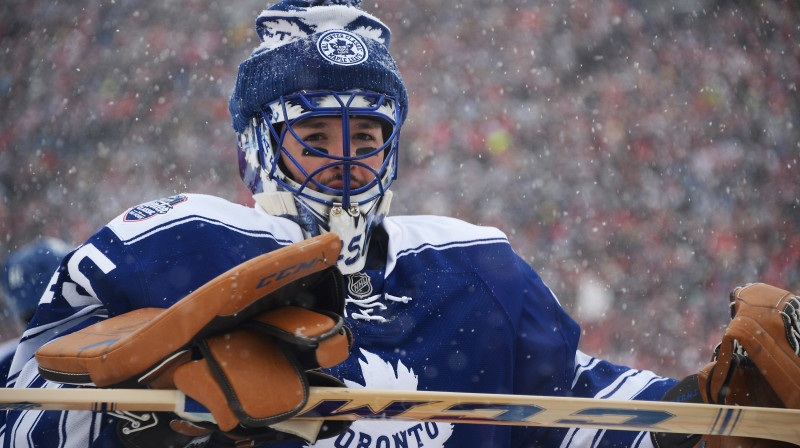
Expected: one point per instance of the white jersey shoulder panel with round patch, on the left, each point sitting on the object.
(162, 214)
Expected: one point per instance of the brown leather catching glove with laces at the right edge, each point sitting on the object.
(756, 364)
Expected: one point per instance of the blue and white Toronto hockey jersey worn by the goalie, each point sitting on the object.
(441, 305)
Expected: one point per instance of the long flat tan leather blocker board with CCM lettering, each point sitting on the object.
(120, 349)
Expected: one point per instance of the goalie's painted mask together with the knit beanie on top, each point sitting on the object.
(326, 61)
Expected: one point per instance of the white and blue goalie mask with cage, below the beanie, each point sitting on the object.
(347, 208)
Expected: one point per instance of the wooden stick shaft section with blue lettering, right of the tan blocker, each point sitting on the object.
(655, 416)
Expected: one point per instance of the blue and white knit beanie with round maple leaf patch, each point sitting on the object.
(315, 45)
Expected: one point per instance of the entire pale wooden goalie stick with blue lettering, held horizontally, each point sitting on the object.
(453, 407)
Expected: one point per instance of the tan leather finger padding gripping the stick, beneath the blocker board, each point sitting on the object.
(246, 376)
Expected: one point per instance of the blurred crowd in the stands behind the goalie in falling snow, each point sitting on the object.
(641, 155)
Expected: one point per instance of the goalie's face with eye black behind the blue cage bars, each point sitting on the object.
(322, 154)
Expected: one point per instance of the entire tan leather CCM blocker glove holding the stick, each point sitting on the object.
(242, 345)
